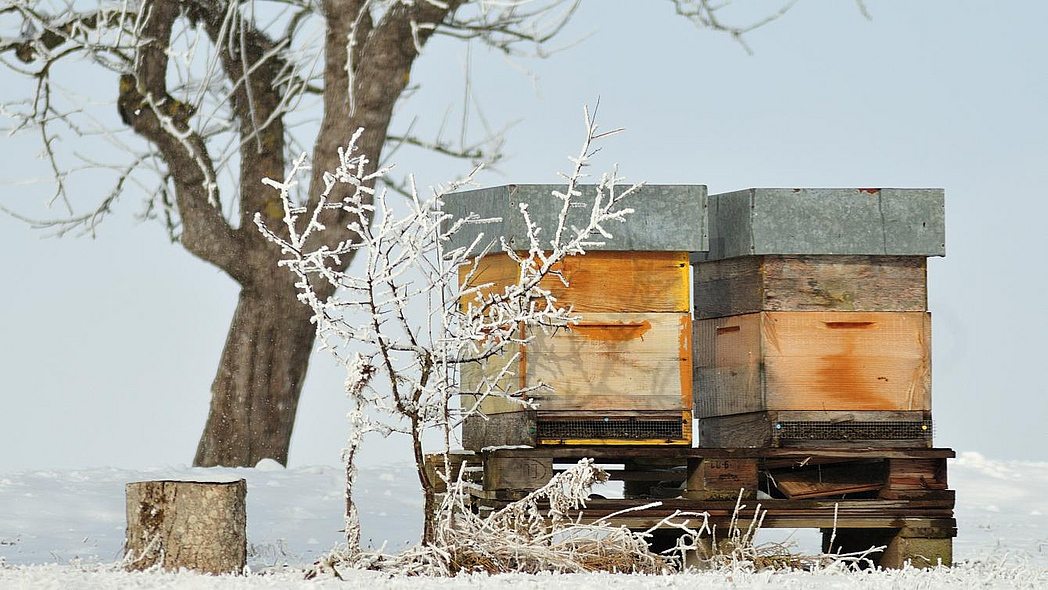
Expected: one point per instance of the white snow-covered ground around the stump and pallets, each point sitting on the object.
(65, 529)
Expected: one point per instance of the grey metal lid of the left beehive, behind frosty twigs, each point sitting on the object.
(666, 217)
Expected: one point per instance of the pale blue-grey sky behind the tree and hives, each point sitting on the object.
(111, 345)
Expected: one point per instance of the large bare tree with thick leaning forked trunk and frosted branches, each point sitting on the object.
(209, 97)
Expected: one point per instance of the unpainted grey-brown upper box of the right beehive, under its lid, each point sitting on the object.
(811, 283)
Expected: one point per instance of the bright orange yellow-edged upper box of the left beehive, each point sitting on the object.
(601, 281)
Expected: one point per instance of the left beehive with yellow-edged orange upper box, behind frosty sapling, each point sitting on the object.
(623, 375)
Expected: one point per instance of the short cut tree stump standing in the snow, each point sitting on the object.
(187, 525)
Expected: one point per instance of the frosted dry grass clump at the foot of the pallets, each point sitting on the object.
(537, 535)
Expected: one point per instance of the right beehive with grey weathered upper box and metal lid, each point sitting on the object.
(812, 318)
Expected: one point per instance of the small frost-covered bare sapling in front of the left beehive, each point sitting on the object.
(398, 324)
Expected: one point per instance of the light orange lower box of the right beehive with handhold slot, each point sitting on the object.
(814, 361)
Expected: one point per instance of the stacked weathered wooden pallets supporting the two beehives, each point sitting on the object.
(894, 497)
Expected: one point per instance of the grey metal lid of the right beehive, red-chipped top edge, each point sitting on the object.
(826, 222)
